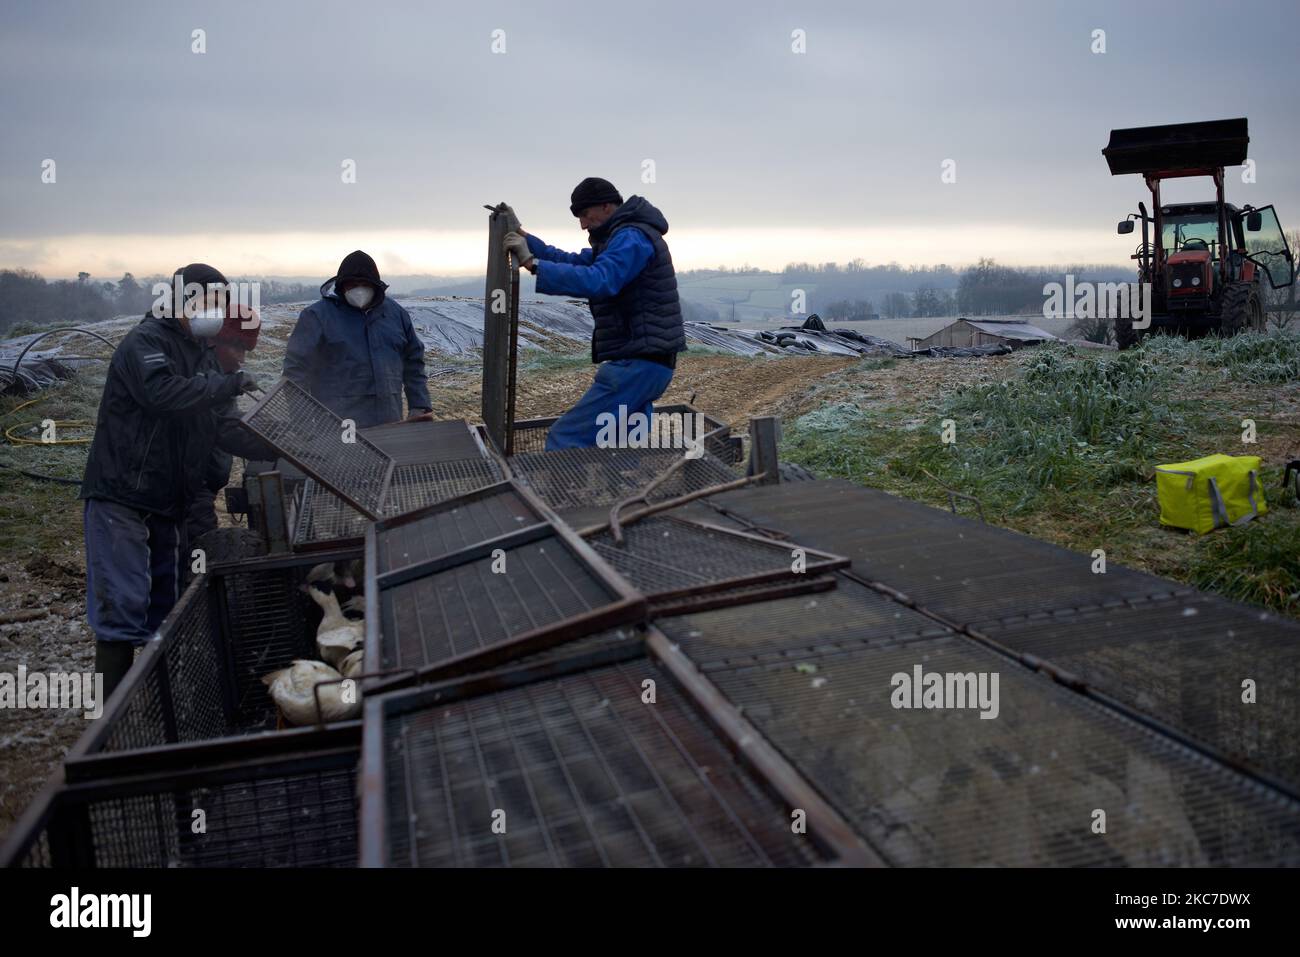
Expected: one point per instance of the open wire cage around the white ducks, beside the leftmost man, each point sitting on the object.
(201, 681)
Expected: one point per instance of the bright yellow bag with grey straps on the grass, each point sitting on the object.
(1211, 493)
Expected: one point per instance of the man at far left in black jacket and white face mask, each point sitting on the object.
(161, 418)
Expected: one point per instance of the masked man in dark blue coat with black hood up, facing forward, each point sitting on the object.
(356, 350)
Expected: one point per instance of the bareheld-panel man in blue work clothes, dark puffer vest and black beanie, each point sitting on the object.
(629, 280)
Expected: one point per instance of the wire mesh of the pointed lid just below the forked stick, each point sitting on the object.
(665, 556)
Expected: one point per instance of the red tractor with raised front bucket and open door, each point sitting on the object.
(1207, 261)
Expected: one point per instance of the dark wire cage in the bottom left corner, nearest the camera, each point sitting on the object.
(293, 808)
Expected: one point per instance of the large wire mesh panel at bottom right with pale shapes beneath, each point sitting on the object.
(946, 786)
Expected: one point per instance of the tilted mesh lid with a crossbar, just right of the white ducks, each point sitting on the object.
(478, 582)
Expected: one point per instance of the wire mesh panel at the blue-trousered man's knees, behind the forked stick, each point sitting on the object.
(582, 478)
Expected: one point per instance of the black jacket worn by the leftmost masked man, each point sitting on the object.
(167, 408)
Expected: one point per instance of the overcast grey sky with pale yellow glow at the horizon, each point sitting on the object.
(762, 155)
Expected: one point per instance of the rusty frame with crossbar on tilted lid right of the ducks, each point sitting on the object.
(627, 605)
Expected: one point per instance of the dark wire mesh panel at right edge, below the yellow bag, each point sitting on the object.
(1224, 673)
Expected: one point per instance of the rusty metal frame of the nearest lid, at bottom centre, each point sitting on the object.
(827, 828)
